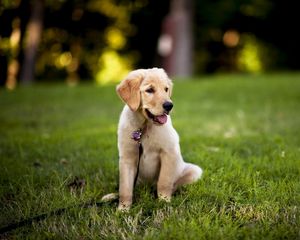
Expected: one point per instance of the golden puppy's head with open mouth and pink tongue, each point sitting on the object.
(148, 91)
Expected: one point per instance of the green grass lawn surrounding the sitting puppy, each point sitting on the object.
(243, 130)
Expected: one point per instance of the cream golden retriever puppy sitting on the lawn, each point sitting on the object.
(145, 123)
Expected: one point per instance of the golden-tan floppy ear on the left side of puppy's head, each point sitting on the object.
(129, 89)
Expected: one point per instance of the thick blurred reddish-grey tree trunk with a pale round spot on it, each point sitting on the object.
(176, 41)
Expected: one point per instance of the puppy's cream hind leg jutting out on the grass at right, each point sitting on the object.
(190, 174)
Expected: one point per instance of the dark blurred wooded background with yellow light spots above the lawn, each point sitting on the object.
(102, 40)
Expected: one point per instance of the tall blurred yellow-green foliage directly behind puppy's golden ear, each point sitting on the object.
(115, 62)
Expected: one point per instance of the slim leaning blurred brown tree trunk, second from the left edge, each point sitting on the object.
(33, 36)
